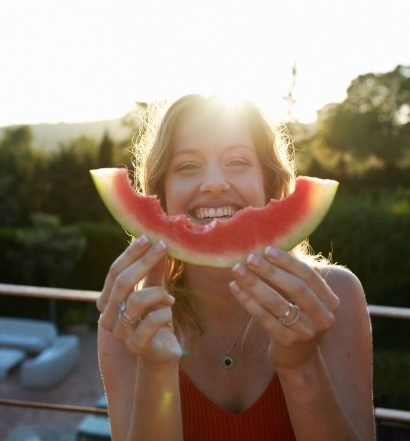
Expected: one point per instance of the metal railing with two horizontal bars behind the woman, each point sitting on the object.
(381, 414)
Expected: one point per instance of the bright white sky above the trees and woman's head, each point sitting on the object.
(86, 60)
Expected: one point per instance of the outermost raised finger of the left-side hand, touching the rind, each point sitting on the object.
(133, 252)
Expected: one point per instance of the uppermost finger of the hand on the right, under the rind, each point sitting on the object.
(283, 262)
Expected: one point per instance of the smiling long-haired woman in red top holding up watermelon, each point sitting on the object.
(275, 348)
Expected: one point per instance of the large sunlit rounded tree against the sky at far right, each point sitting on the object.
(371, 125)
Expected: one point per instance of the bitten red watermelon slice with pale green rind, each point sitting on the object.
(223, 242)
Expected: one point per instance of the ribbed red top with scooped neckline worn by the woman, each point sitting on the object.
(266, 420)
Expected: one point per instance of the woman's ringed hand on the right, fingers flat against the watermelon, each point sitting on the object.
(268, 287)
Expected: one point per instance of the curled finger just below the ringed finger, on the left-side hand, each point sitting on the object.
(140, 341)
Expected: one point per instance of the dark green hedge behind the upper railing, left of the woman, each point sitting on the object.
(48, 254)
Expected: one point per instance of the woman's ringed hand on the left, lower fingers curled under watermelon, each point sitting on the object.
(145, 325)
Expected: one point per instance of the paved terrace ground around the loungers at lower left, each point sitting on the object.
(82, 387)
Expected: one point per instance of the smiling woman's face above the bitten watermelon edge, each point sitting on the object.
(214, 170)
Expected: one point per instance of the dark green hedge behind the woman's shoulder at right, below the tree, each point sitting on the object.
(367, 232)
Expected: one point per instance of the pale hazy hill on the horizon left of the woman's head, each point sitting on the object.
(49, 136)
